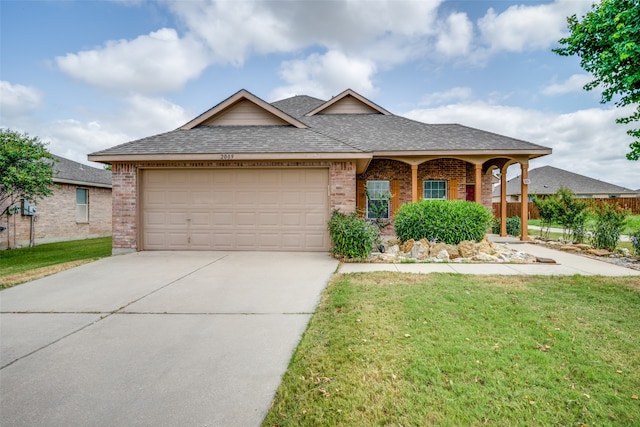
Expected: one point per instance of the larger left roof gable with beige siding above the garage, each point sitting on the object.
(244, 109)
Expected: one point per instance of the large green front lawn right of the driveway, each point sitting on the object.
(387, 349)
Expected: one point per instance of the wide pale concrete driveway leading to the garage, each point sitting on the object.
(156, 338)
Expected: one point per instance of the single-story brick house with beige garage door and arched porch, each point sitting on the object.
(253, 175)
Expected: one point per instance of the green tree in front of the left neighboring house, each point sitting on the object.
(26, 169)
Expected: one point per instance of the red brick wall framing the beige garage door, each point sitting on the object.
(342, 191)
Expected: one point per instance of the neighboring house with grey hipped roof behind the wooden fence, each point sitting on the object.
(547, 180)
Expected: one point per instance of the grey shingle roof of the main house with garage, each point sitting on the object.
(344, 135)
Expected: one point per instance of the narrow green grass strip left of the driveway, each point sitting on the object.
(21, 261)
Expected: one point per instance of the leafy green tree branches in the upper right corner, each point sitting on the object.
(607, 39)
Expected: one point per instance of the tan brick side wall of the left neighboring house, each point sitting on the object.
(56, 218)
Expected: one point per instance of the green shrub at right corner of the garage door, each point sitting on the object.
(352, 236)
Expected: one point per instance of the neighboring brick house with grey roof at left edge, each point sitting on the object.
(79, 208)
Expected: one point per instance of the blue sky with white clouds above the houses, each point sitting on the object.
(87, 75)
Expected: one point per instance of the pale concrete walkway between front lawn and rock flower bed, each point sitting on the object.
(566, 265)
